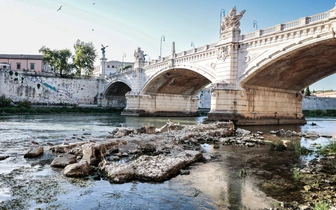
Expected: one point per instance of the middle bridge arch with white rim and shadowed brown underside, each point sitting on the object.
(181, 80)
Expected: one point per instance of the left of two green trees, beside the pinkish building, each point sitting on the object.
(58, 60)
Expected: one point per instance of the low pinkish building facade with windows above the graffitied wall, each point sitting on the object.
(19, 62)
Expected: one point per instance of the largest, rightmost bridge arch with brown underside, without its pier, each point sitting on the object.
(293, 67)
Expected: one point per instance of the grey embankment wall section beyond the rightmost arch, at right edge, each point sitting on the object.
(318, 103)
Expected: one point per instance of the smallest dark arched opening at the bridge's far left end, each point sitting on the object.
(115, 95)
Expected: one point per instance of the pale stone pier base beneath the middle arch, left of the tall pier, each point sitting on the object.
(160, 105)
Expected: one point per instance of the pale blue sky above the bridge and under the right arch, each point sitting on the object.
(124, 25)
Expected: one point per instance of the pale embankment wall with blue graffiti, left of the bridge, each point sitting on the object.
(47, 89)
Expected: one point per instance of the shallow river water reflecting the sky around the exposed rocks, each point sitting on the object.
(33, 184)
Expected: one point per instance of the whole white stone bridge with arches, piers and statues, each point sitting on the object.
(255, 78)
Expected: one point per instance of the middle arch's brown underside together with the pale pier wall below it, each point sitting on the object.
(171, 92)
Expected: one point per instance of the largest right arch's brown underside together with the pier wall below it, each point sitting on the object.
(273, 88)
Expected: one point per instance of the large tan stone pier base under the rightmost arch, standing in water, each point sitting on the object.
(257, 106)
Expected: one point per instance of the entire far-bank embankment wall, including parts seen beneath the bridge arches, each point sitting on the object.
(46, 88)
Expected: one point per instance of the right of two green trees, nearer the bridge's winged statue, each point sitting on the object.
(83, 60)
